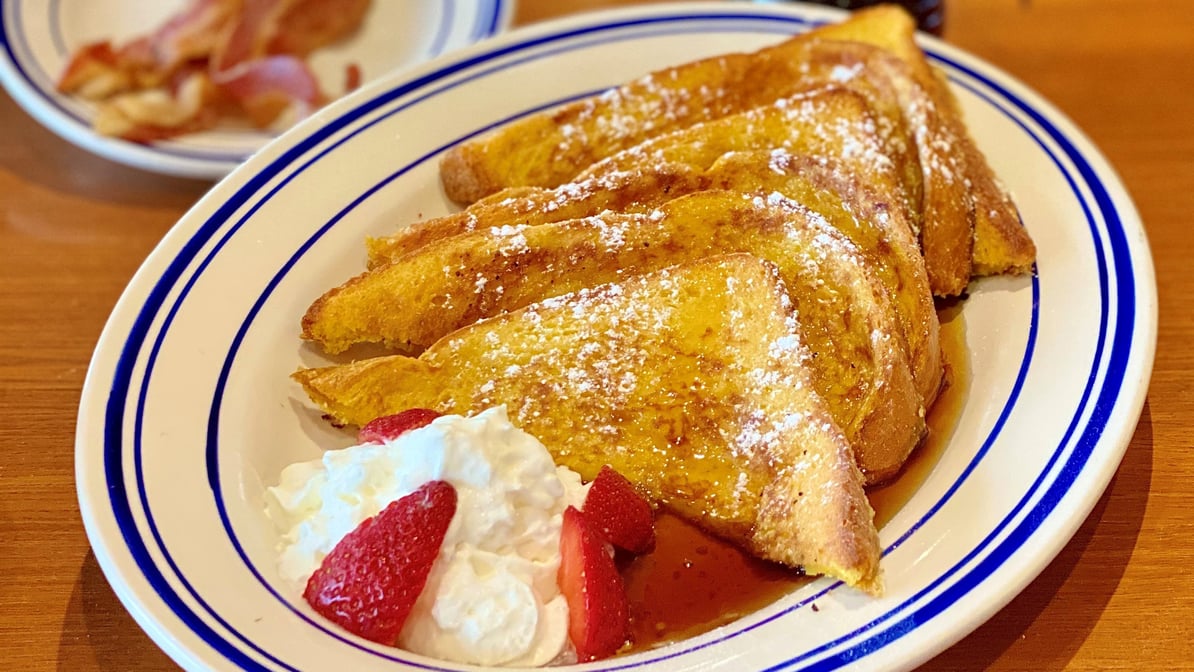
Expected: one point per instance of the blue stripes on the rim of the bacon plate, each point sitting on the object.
(14, 42)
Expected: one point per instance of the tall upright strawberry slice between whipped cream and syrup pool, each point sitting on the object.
(599, 611)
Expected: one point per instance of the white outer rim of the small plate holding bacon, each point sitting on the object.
(46, 107)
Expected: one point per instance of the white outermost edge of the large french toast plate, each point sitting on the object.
(1141, 261)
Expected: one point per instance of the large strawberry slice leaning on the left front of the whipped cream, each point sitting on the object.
(371, 581)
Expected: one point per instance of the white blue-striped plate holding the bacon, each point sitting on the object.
(38, 39)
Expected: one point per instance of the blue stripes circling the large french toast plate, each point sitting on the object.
(1112, 365)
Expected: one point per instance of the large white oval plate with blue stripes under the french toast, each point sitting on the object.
(188, 412)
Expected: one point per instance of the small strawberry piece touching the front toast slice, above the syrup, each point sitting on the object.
(620, 513)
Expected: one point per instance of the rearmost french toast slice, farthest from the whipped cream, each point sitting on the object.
(875, 53)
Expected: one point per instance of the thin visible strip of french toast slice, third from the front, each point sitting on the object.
(860, 209)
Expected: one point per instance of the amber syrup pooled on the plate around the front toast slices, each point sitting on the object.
(693, 583)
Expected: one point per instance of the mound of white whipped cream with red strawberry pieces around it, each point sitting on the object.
(370, 533)
